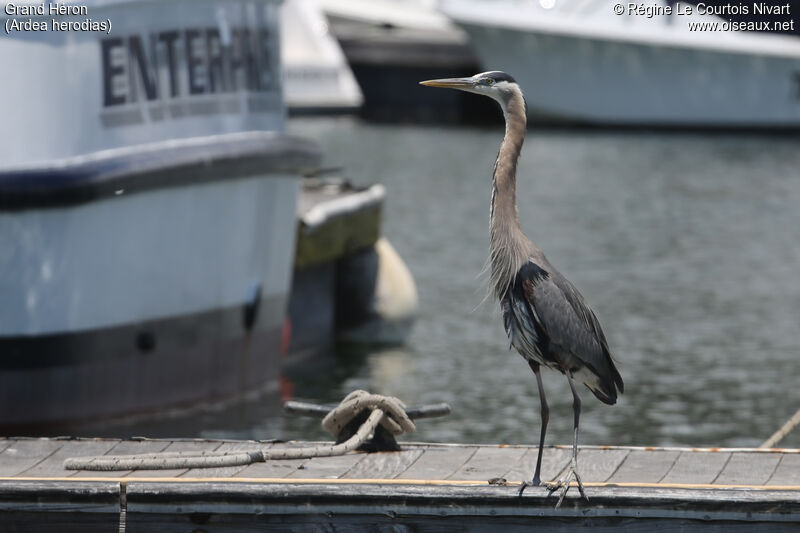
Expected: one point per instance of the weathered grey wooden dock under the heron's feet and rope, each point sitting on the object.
(424, 488)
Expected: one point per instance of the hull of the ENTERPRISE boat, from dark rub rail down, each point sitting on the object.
(150, 278)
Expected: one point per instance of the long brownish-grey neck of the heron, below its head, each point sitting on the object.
(509, 246)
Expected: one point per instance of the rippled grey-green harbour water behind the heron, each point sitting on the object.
(687, 246)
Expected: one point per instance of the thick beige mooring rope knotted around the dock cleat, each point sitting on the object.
(386, 411)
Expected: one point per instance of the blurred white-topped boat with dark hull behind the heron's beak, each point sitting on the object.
(391, 45)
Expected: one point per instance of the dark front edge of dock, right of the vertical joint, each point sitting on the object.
(365, 507)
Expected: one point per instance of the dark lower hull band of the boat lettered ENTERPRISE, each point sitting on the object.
(66, 379)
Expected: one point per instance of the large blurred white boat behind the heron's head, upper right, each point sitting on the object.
(580, 62)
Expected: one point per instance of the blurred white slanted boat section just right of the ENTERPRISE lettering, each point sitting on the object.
(316, 73)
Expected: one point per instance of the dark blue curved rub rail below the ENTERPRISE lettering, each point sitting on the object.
(124, 171)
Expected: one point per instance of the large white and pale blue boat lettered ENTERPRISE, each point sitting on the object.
(147, 208)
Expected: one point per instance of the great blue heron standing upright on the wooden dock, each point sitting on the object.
(545, 317)
